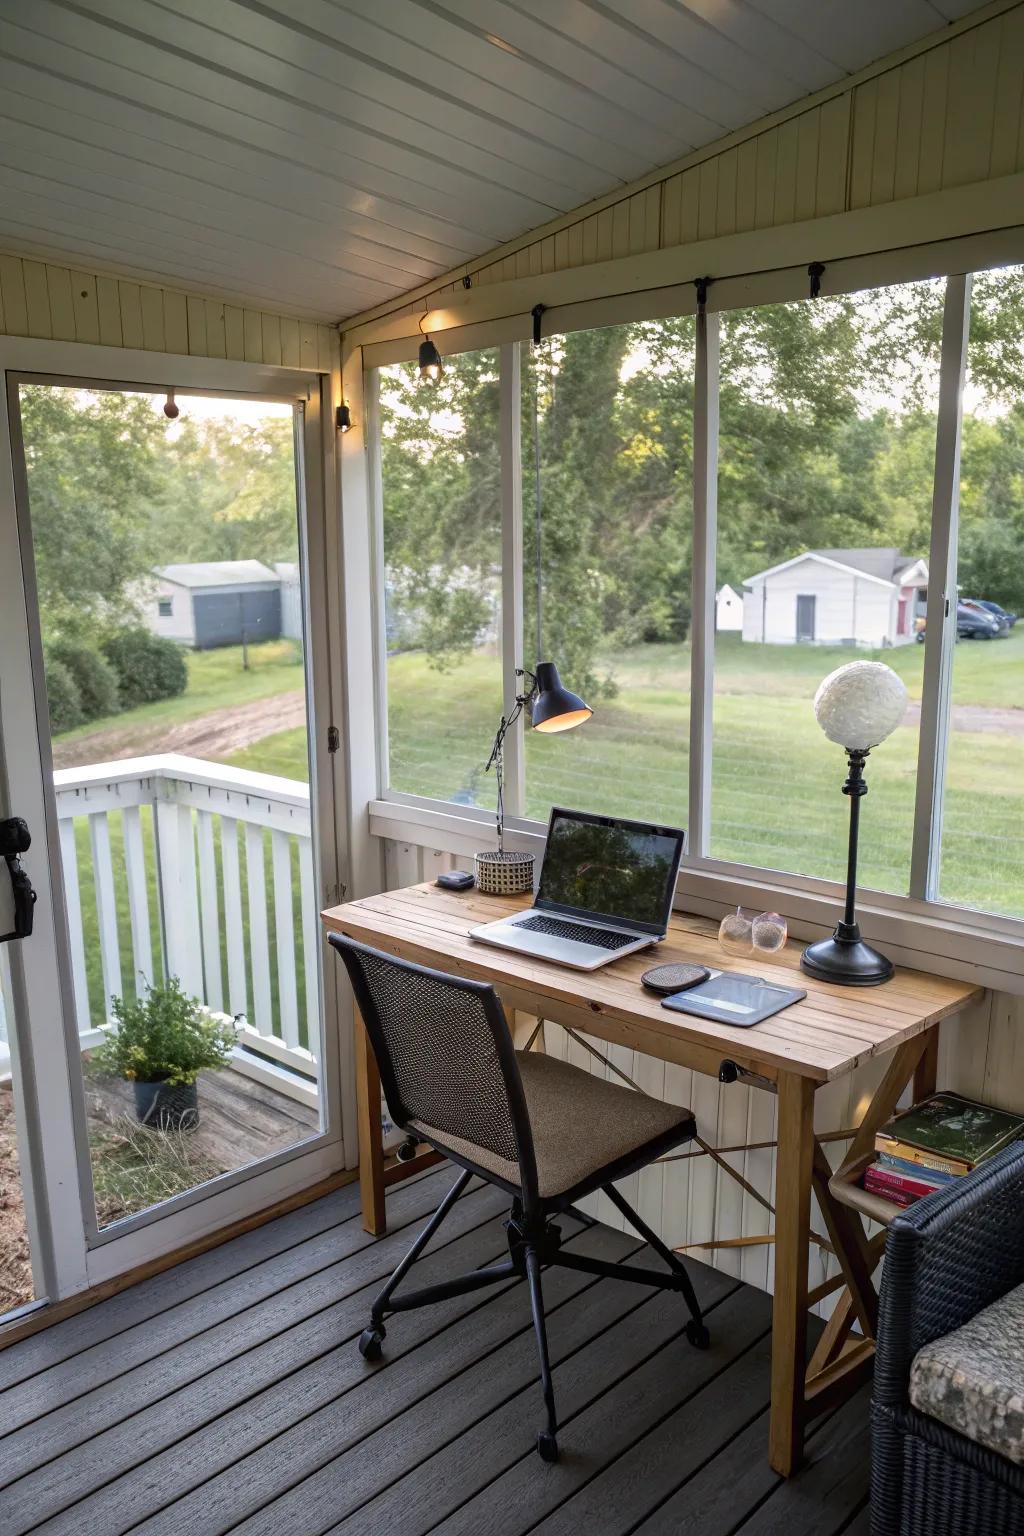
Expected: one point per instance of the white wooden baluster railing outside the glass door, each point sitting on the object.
(180, 847)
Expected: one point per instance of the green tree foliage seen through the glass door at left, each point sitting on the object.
(116, 489)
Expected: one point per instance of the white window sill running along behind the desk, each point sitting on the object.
(940, 941)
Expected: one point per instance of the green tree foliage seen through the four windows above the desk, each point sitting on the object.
(827, 440)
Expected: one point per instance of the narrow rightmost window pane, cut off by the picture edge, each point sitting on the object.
(983, 813)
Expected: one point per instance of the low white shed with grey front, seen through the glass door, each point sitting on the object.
(213, 603)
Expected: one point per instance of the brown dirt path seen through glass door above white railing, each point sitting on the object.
(216, 735)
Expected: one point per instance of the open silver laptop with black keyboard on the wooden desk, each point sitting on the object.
(606, 892)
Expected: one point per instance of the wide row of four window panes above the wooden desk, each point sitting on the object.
(831, 506)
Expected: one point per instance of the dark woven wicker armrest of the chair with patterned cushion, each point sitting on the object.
(946, 1259)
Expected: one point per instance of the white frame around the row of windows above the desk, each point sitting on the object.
(919, 929)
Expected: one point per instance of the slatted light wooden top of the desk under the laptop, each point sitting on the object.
(825, 1036)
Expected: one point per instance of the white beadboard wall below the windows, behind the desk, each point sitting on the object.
(982, 1054)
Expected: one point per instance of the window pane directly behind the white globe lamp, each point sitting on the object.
(825, 503)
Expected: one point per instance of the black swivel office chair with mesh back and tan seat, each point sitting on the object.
(541, 1130)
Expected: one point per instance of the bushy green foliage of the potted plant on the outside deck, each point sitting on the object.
(164, 1038)
